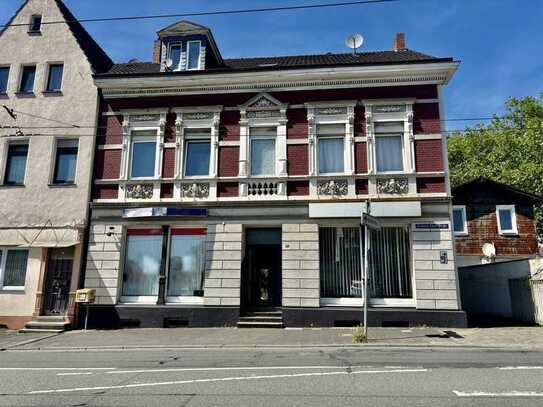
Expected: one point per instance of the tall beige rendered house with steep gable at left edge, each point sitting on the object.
(47, 88)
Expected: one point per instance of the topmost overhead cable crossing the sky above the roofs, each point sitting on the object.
(212, 13)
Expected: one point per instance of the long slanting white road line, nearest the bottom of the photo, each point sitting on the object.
(223, 379)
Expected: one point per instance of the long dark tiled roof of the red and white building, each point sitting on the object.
(406, 56)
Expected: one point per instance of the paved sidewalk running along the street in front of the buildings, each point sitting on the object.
(528, 338)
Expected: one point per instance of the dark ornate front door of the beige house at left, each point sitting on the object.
(58, 279)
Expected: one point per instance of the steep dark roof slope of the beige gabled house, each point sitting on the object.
(96, 56)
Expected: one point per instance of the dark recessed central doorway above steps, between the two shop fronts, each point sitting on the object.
(261, 280)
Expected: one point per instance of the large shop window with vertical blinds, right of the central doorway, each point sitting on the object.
(340, 263)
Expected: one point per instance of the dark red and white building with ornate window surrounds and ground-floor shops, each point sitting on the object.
(227, 185)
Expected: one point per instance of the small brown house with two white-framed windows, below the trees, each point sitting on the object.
(500, 216)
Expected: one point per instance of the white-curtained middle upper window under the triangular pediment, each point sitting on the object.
(262, 150)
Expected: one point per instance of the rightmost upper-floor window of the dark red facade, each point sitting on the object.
(389, 146)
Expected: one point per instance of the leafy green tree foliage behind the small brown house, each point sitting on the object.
(509, 150)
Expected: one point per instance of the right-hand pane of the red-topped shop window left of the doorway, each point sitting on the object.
(187, 263)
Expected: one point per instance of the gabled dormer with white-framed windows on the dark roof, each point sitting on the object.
(186, 46)
